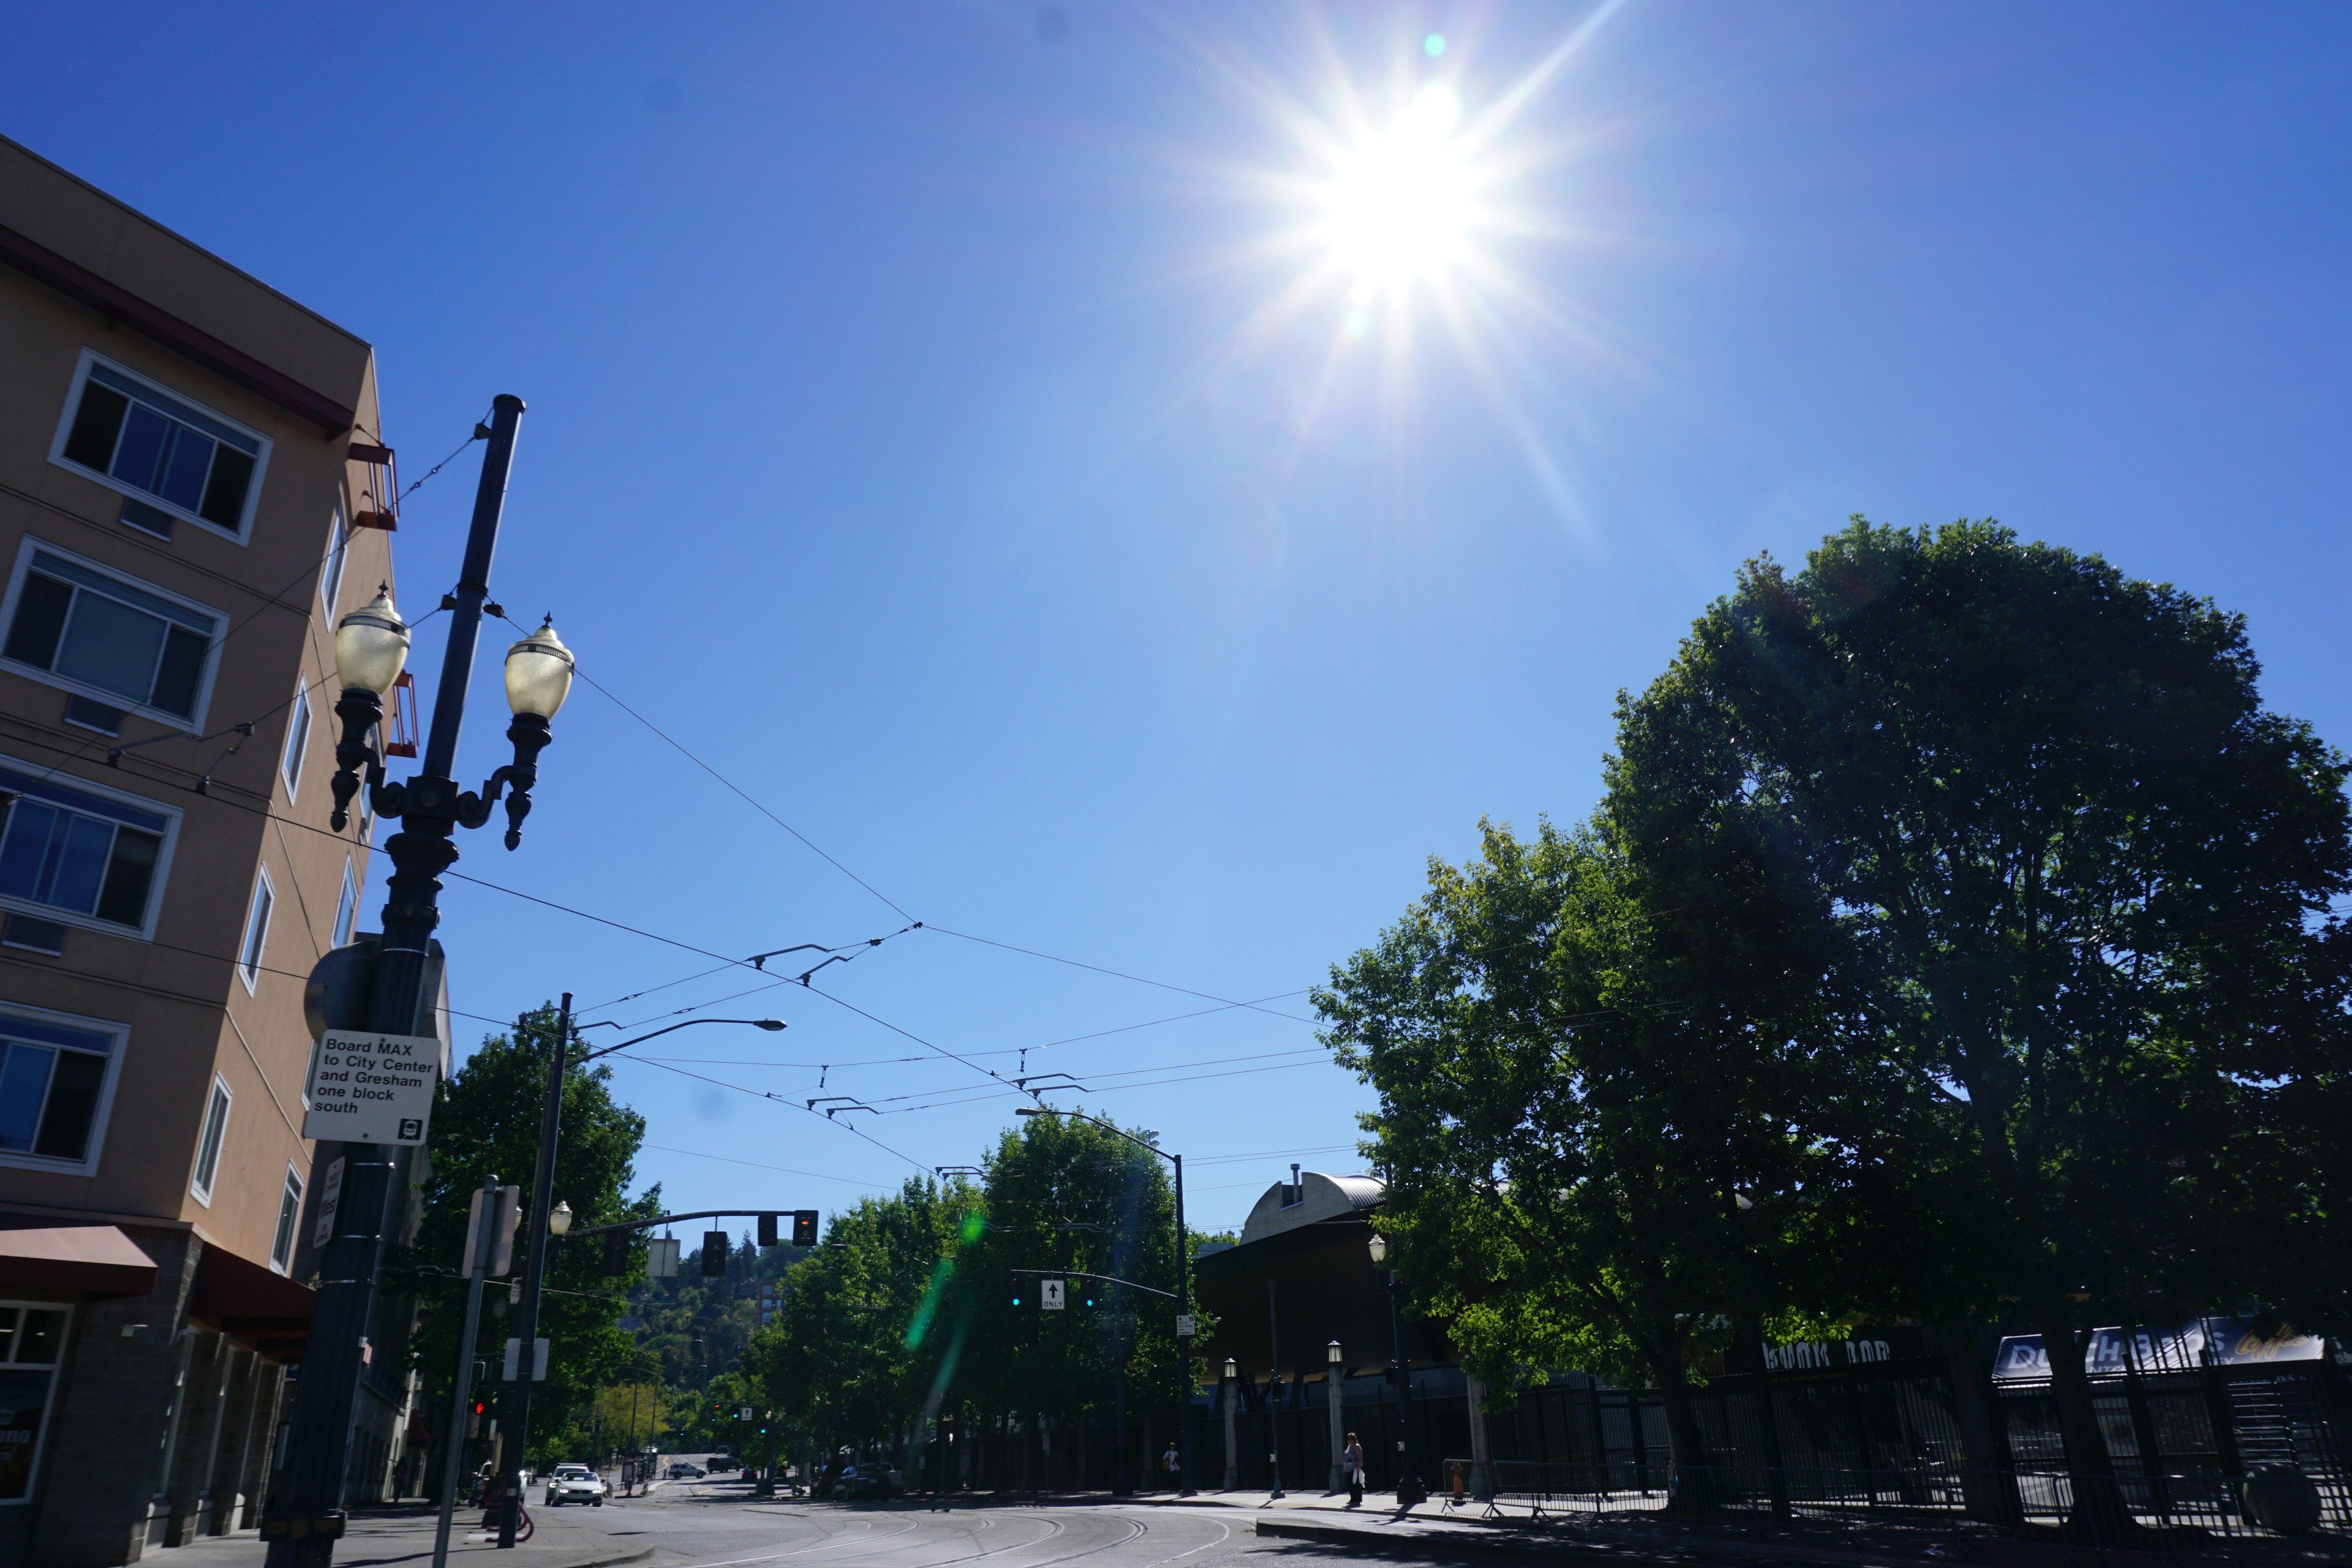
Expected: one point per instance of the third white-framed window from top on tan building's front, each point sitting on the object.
(79, 852)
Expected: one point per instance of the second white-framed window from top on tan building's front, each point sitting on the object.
(100, 634)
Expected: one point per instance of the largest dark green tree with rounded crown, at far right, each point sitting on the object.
(2076, 887)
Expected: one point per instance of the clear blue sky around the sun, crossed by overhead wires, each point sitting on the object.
(944, 424)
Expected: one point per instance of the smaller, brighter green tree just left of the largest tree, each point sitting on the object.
(1579, 1113)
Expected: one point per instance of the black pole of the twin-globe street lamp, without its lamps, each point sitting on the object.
(309, 1515)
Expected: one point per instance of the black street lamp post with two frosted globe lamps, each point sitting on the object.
(370, 648)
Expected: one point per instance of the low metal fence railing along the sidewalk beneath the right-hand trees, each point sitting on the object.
(2130, 1510)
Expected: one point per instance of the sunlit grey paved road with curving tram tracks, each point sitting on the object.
(702, 1525)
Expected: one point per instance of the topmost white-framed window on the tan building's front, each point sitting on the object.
(161, 450)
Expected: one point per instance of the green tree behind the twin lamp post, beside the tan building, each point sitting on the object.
(488, 1125)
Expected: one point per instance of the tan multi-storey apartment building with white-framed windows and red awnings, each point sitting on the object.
(178, 528)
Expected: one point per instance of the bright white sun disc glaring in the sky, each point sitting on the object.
(1401, 201)
